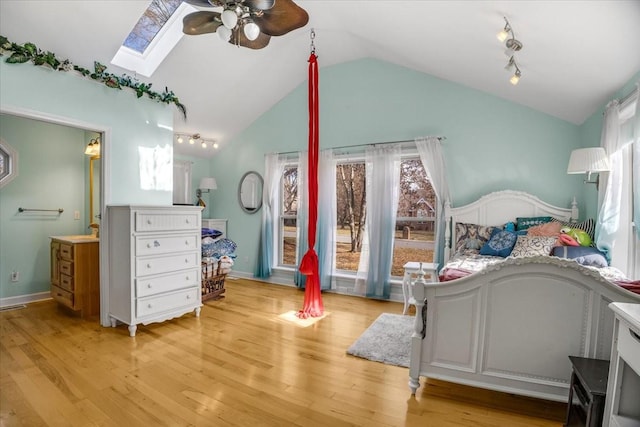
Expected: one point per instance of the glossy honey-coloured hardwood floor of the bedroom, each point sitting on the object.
(237, 365)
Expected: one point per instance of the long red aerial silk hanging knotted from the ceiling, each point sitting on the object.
(313, 306)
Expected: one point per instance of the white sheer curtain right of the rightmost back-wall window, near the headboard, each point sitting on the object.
(430, 151)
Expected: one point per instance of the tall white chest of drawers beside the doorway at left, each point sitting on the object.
(154, 263)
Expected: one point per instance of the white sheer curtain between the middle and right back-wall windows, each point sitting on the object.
(382, 183)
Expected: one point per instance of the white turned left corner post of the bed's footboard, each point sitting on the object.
(419, 329)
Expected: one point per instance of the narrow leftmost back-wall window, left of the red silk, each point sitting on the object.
(288, 217)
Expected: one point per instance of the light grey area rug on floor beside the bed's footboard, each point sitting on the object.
(387, 340)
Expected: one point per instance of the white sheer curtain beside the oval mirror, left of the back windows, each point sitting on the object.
(274, 167)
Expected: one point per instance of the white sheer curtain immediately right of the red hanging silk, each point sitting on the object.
(326, 218)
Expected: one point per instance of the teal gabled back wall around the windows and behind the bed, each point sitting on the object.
(491, 144)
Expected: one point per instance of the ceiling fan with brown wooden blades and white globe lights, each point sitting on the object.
(248, 23)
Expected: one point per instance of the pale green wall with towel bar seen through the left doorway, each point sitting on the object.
(51, 175)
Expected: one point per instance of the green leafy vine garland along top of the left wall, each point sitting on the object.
(29, 52)
